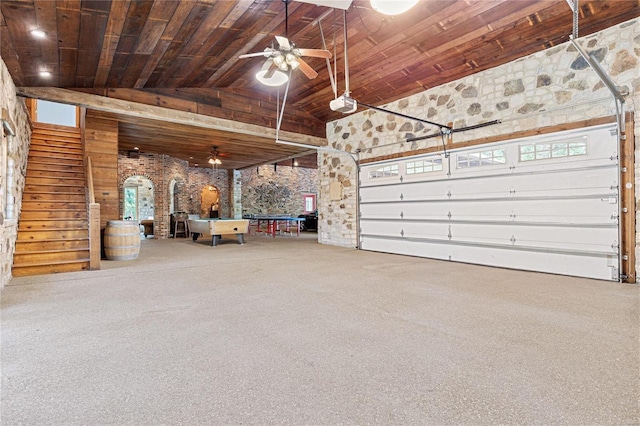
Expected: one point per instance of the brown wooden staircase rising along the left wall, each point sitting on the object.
(53, 228)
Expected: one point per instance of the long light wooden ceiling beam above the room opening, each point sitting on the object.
(117, 106)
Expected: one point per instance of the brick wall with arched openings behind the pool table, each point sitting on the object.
(161, 170)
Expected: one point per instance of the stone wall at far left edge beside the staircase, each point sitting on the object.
(12, 181)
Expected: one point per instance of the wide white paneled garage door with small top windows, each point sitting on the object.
(546, 203)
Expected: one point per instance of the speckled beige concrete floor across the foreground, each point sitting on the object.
(287, 331)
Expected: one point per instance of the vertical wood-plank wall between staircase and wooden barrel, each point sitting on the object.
(101, 144)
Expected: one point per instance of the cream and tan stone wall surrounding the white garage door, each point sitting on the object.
(549, 88)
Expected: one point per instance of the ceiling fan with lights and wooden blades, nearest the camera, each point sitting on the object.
(287, 56)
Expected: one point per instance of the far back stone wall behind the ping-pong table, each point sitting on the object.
(265, 190)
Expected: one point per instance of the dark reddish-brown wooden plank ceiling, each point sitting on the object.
(184, 55)
